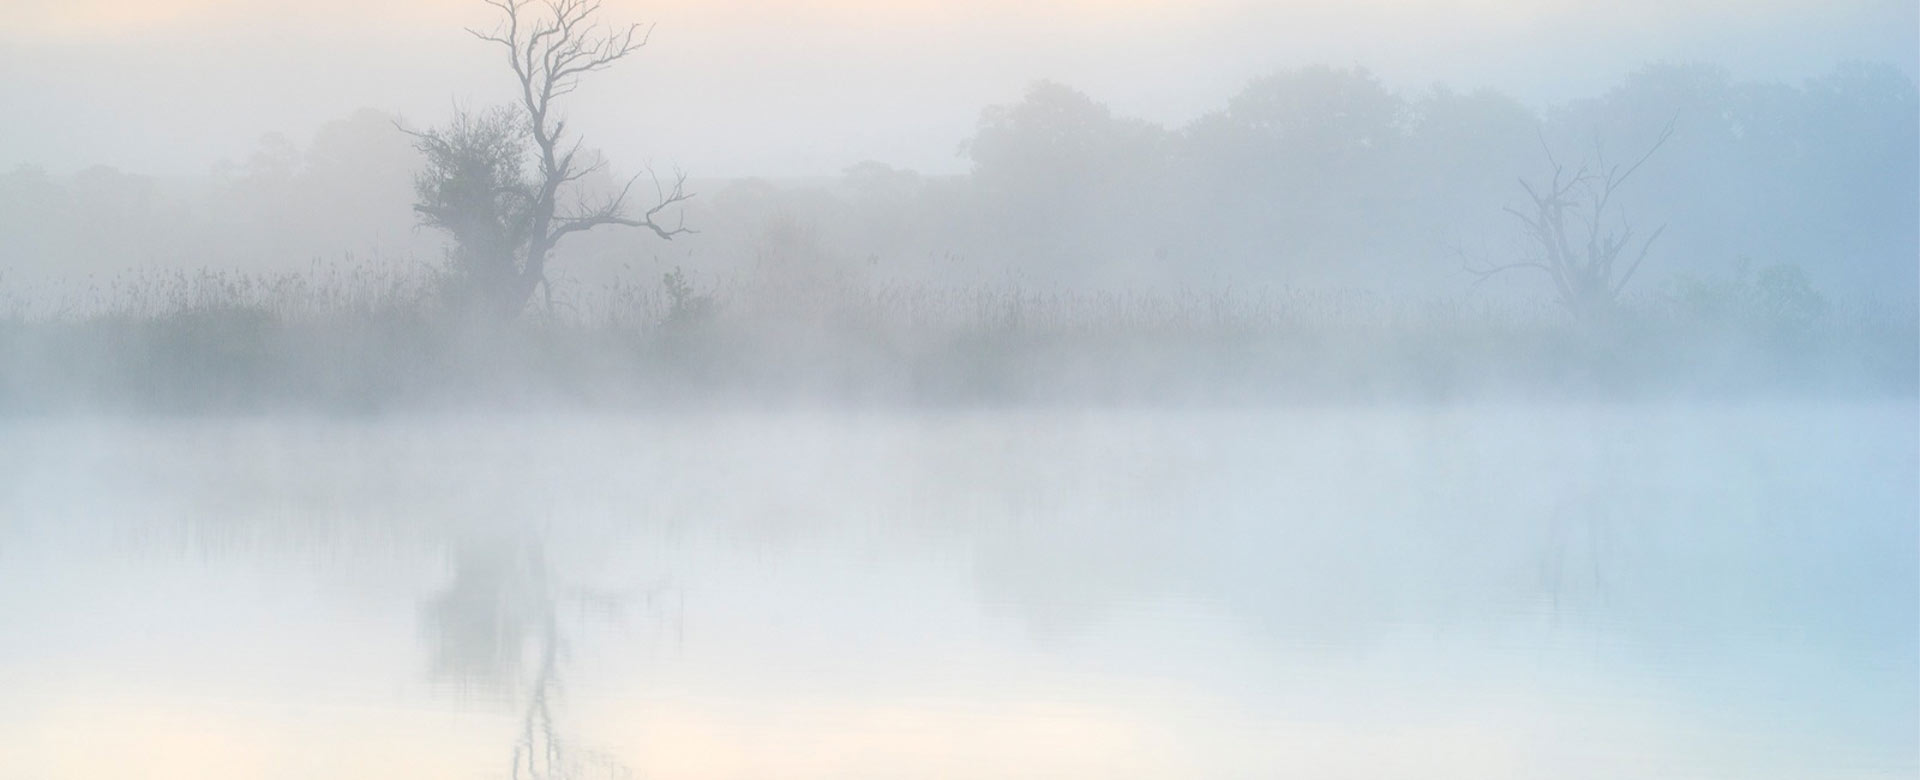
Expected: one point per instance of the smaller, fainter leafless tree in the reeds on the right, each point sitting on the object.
(1575, 233)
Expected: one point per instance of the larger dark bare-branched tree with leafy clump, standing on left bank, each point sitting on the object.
(506, 222)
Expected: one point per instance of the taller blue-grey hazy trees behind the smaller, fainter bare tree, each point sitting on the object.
(1326, 174)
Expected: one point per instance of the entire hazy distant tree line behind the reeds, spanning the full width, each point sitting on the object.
(1307, 178)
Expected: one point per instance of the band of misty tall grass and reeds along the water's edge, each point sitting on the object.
(364, 337)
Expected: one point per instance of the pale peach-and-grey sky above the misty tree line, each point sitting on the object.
(761, 87)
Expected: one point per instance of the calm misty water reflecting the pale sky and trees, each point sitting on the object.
(1476, 593)
